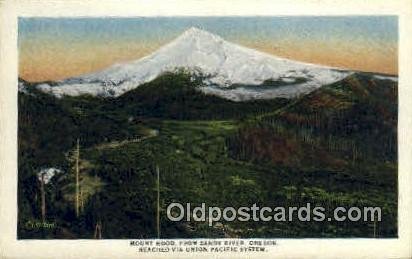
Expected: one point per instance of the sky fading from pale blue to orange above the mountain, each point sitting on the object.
(371, 39)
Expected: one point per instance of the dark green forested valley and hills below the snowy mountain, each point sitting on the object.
(336, 146)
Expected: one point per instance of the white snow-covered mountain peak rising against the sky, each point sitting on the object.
(225, 64)
